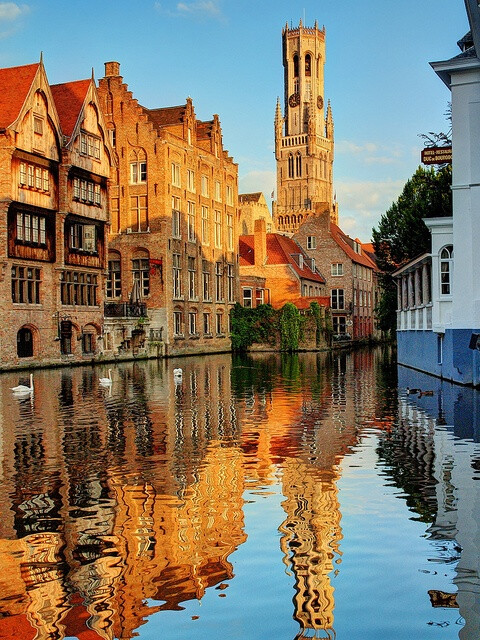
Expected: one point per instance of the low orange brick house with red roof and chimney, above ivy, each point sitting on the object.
(275, 270)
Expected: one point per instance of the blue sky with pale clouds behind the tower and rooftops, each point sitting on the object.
(227, 55)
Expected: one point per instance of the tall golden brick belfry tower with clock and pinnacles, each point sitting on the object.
(304, 136)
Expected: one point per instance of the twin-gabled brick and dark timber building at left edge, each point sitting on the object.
(55, 164)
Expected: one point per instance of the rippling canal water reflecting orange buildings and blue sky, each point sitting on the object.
(270, 496)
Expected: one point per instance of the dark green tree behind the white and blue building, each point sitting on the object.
(402, 234)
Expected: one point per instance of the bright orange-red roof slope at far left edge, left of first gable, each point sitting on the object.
(15, 83)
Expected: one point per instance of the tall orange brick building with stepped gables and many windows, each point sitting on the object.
(172, 263)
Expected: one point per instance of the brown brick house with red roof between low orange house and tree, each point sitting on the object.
(351, 275)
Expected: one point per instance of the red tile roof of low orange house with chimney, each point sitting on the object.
(280, 250)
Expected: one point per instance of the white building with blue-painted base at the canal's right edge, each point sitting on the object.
(447, 347)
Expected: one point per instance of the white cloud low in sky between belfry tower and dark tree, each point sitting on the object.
(361, 204)
